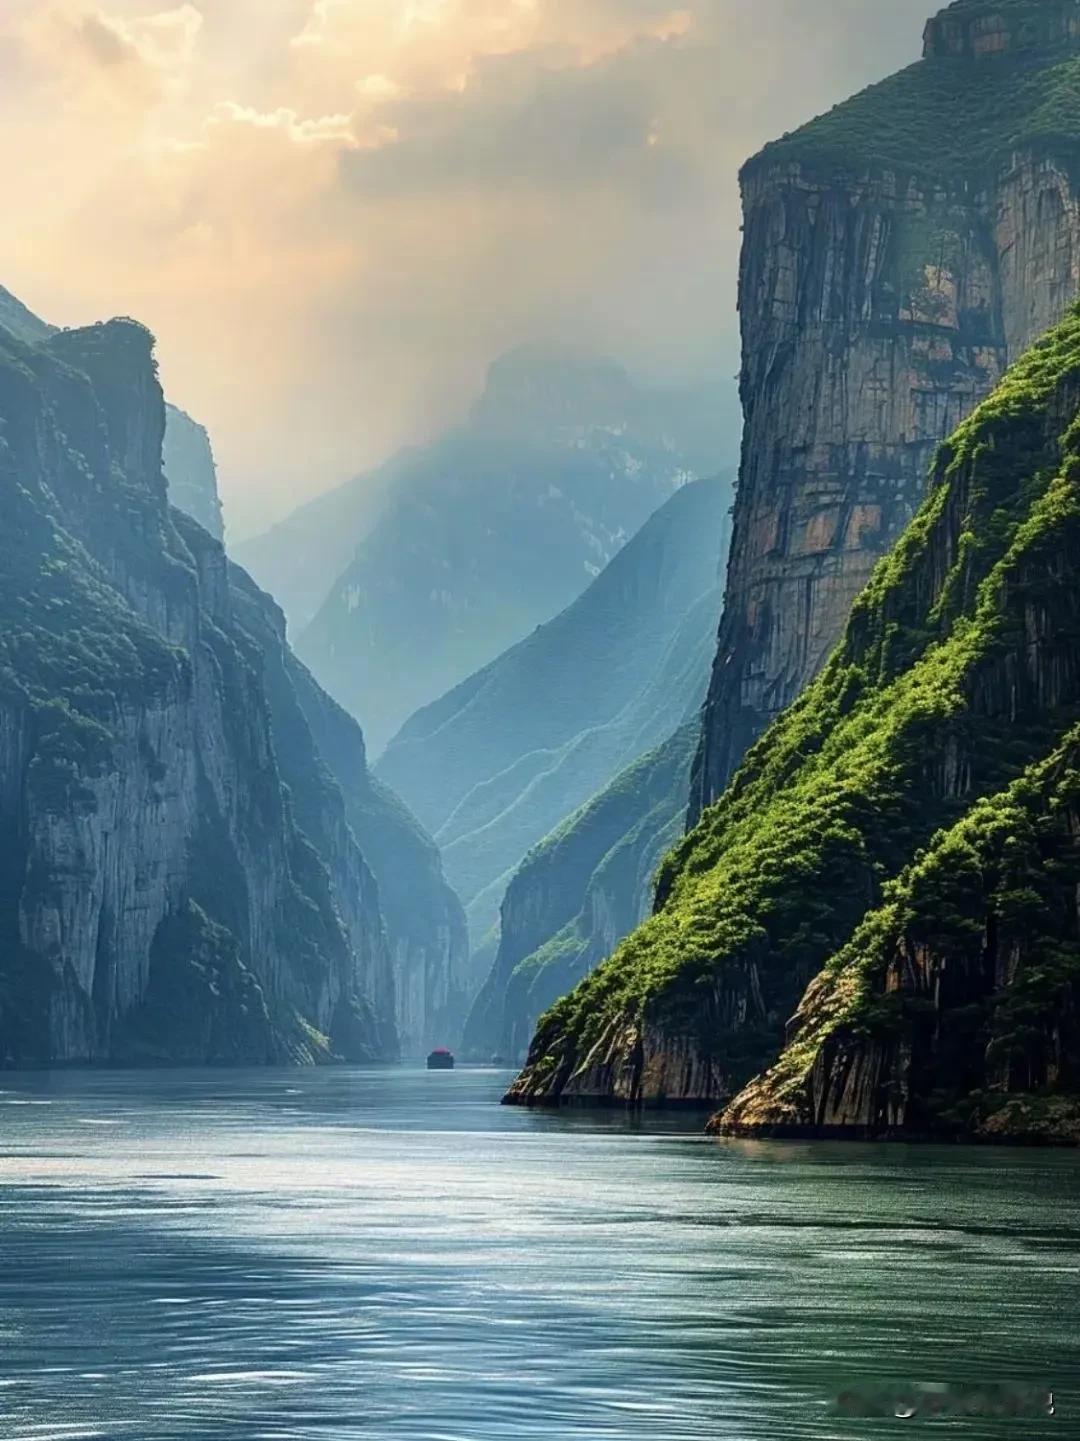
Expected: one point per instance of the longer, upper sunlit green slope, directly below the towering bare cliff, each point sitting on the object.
(958, 674)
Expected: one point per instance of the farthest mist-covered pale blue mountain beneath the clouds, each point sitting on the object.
(472, 543)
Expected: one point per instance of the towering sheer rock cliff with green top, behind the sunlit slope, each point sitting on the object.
(899, 253)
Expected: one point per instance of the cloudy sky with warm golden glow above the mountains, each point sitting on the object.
(334, 214)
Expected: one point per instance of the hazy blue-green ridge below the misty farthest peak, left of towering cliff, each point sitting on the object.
(507, 756)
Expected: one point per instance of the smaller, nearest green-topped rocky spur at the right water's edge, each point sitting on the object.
(973, 965)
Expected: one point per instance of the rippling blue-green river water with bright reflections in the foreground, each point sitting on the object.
(389, 1254)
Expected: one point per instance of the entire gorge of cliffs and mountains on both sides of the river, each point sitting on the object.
(902, 257)
